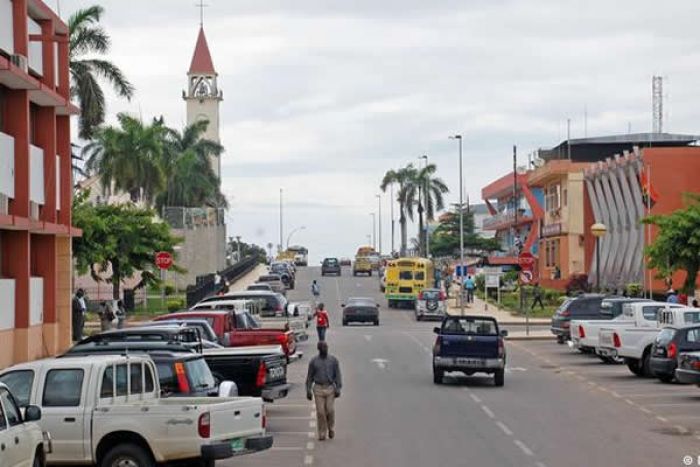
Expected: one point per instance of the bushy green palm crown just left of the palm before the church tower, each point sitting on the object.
(128, 158)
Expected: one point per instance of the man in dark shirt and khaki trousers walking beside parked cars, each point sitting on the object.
(323, 384)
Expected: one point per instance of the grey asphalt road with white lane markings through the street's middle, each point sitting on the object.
(557, 408)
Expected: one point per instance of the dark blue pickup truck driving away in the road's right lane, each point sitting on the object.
(469, 344)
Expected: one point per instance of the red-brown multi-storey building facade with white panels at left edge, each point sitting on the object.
(35, 182)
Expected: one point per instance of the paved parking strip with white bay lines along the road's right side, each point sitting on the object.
(675, 406)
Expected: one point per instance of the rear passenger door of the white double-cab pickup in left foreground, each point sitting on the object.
(62, 396)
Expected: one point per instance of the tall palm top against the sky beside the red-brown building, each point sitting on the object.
(87, 37)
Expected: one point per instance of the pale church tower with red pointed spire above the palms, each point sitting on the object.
(203, 94)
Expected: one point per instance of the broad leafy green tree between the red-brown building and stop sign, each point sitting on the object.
(118, 242)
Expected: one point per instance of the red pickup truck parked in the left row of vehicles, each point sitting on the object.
(239, 329)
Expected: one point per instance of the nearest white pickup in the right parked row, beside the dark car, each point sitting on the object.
(634, 344)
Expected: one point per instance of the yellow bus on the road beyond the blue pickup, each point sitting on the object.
(406, 278)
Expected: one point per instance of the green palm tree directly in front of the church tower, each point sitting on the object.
(190, 179)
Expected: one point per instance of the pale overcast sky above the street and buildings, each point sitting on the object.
(321, 97)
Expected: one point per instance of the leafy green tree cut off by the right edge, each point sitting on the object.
(677, 244)
